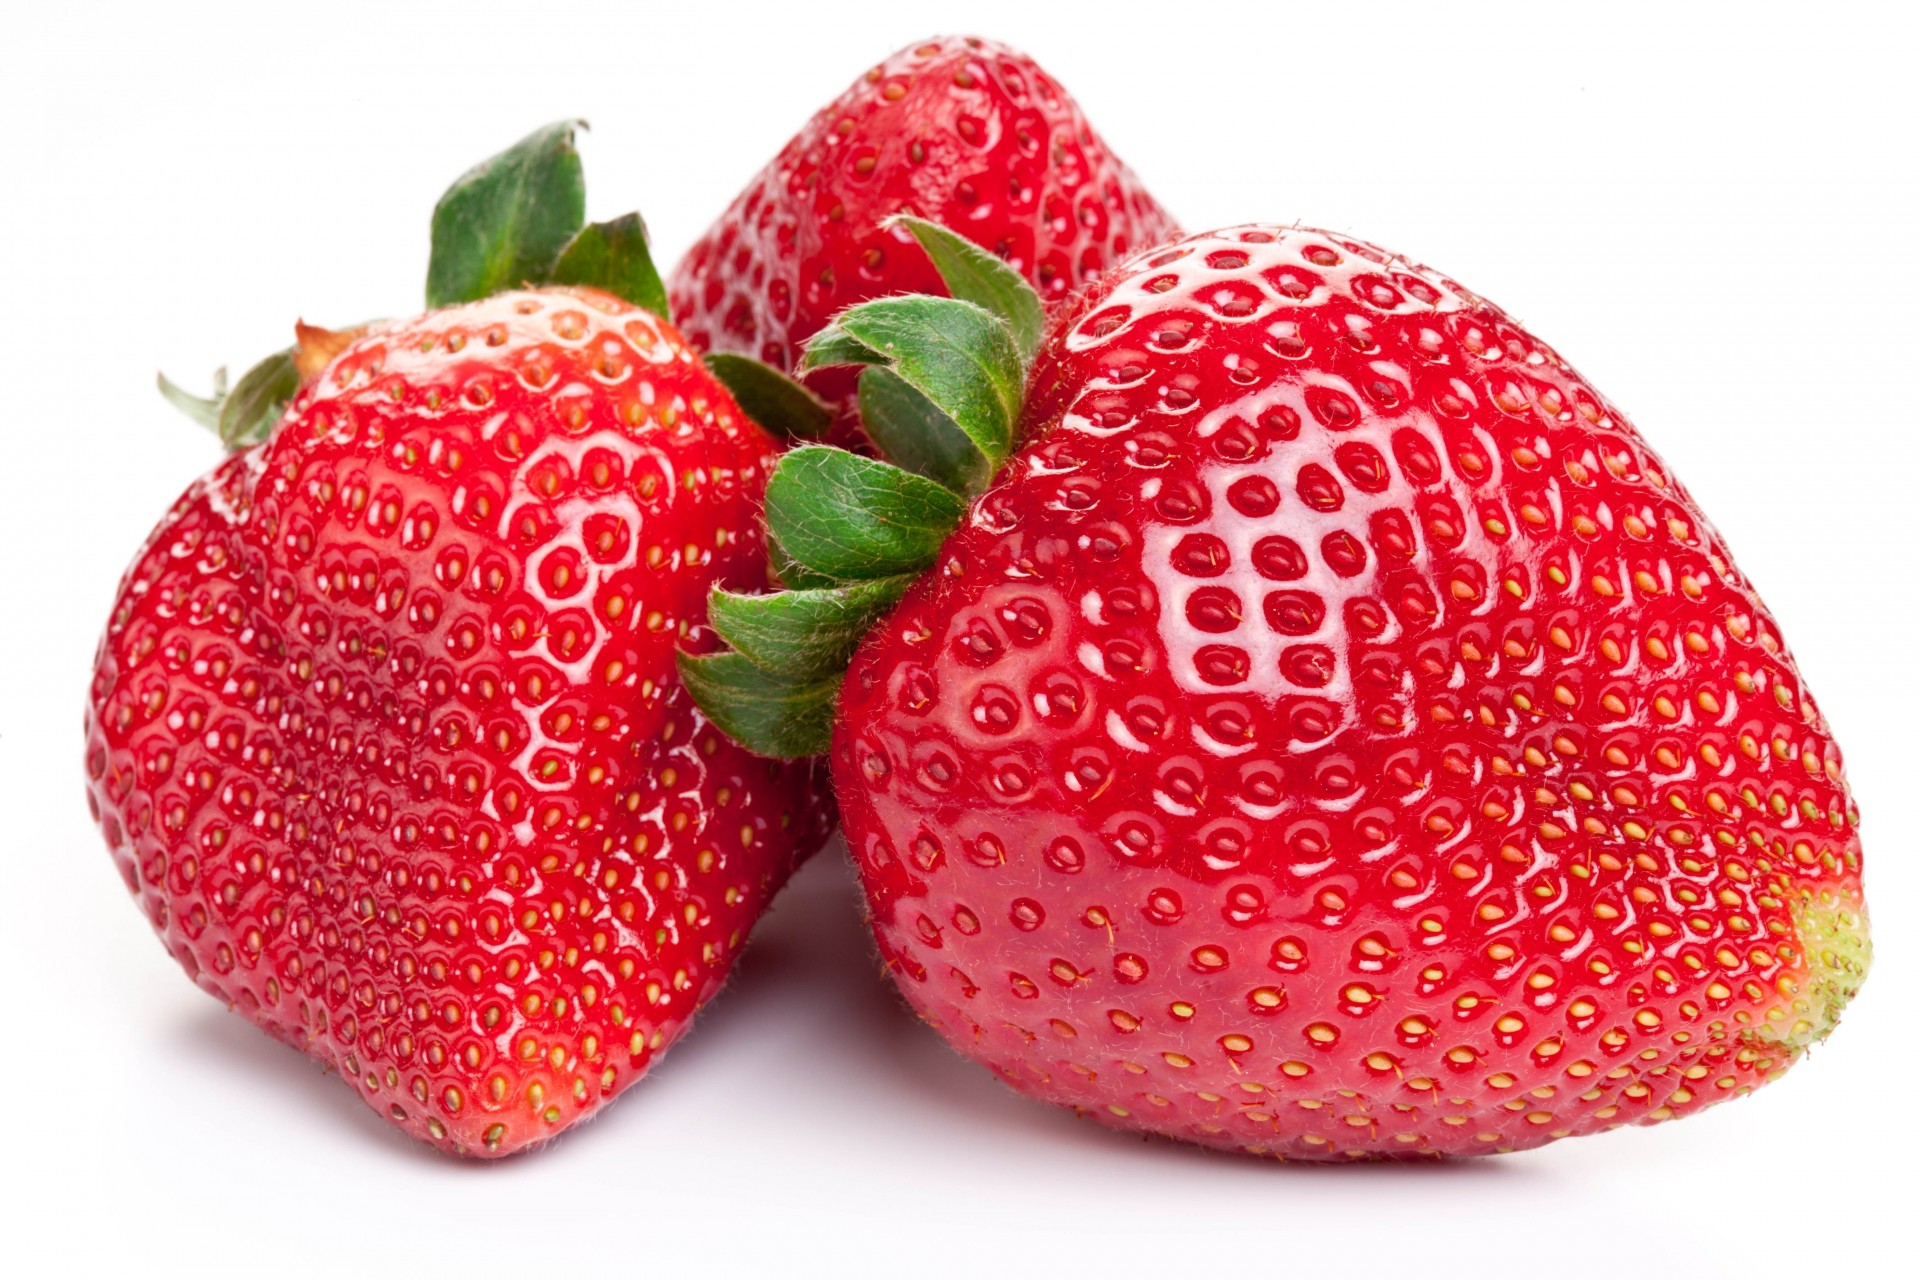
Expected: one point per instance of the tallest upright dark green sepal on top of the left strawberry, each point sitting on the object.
(508, 220)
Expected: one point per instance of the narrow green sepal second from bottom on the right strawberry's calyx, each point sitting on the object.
(804, 634)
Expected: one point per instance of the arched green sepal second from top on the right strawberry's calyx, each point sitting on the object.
(959, 356)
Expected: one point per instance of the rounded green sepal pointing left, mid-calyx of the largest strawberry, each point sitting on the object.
(855, 519)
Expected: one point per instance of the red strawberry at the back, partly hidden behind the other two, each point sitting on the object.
(961, 131)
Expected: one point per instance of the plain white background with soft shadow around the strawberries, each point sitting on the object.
(1710, 210)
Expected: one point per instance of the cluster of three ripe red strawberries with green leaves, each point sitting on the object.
(1253, 671)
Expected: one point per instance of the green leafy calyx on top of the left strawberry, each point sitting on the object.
(512, 222)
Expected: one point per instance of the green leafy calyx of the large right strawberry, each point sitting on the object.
(942, 391)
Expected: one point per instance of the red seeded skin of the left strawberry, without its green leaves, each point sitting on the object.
(385, 728)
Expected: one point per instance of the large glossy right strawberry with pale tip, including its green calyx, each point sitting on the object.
(1333, 734)
